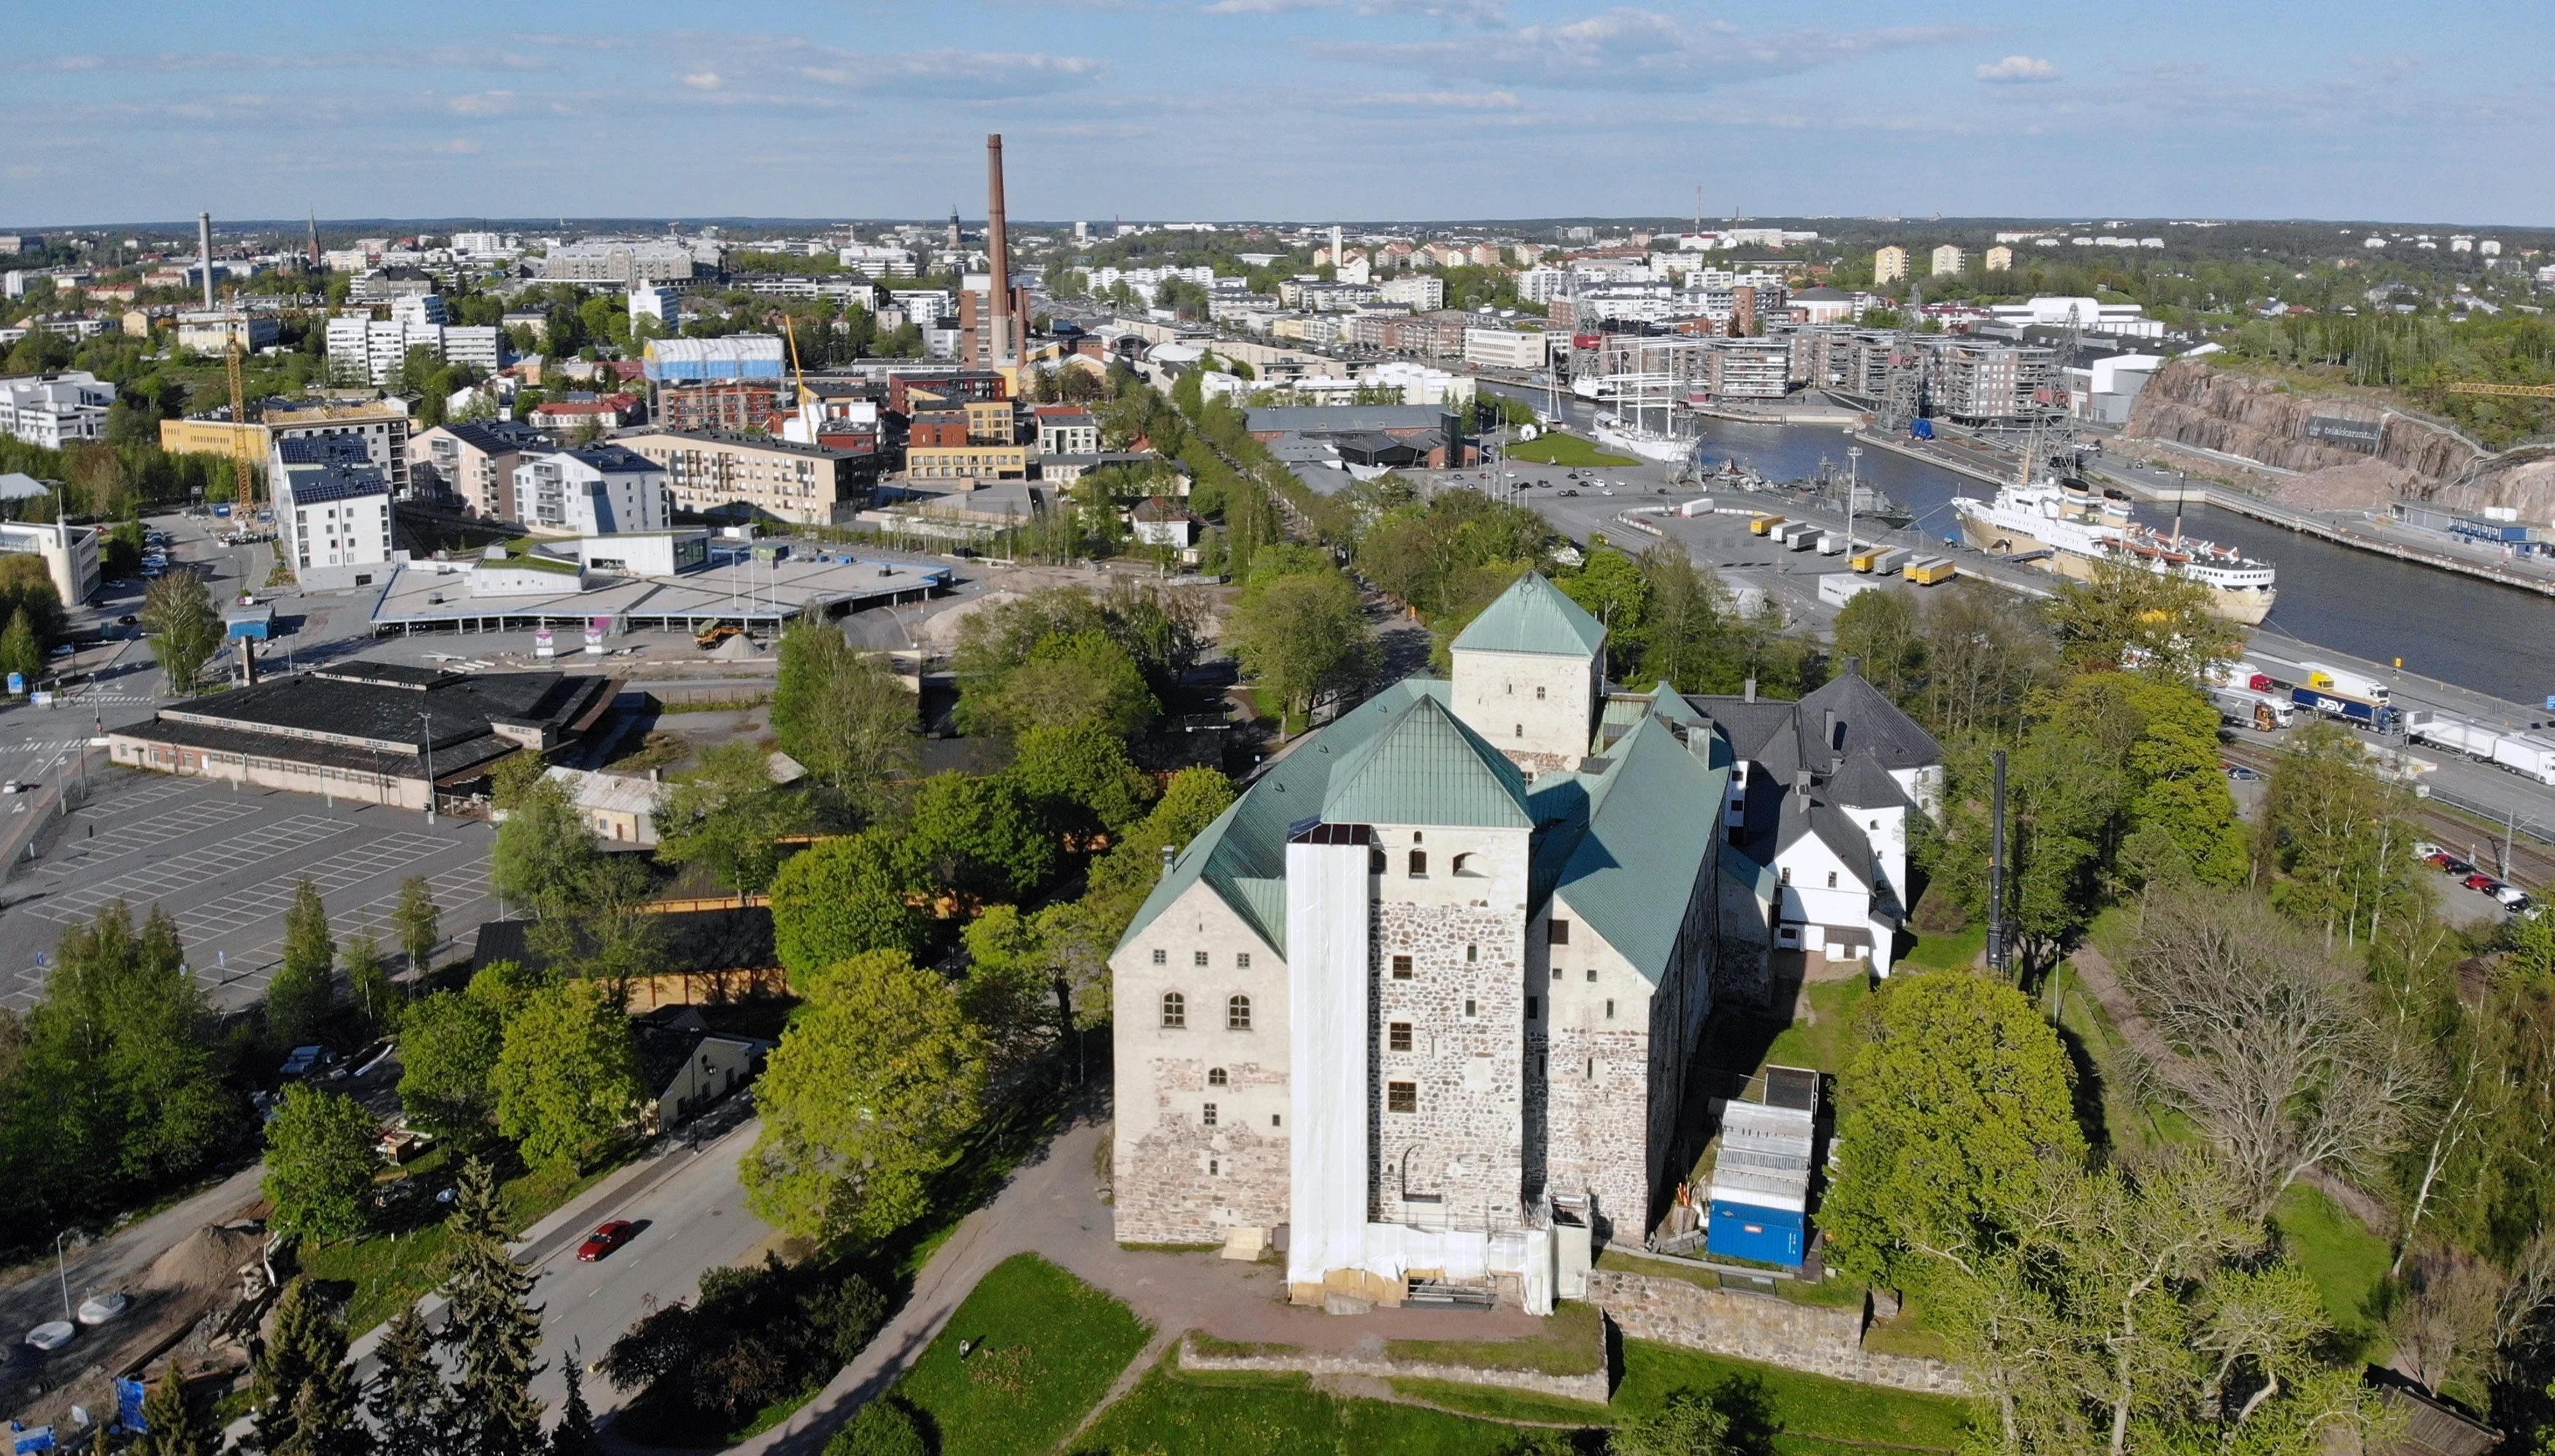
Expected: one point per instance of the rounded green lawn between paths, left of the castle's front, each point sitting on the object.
(1049, 1350)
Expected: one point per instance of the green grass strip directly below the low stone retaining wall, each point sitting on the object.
(1800, 1406)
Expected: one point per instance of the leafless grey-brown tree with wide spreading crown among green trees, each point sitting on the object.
(2270, 1049)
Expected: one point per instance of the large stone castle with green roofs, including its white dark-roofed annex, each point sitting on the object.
(1422, 1008)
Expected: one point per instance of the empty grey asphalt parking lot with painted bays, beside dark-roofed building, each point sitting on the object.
(226, 865)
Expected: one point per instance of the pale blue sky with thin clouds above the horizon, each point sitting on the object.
(2423, 111)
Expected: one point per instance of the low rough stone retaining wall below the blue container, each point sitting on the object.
(1762, 1327)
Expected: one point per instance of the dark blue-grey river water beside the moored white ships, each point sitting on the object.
(2459, 630)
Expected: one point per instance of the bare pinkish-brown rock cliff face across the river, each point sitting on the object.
(2265, 420)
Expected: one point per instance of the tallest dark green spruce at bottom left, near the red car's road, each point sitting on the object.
(494, 1330)
